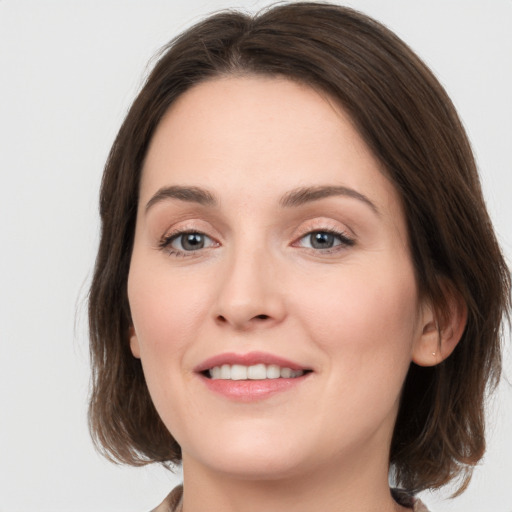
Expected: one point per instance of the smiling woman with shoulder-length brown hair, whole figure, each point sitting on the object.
(297, 287)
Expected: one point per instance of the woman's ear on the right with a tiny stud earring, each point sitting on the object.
(440, 332)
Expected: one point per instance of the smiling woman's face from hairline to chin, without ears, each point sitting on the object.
(273, 297)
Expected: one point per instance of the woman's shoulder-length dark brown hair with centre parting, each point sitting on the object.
(410, 124)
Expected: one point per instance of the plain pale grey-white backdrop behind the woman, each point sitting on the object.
(68, 72)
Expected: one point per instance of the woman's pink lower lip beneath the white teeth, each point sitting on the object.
(252, 390)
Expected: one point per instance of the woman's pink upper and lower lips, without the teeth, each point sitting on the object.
(249, 390)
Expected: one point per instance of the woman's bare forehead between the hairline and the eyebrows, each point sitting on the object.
(257, 137)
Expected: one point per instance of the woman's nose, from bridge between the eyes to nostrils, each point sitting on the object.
(250, 293)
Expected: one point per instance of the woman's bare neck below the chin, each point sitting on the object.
(360, 486)
